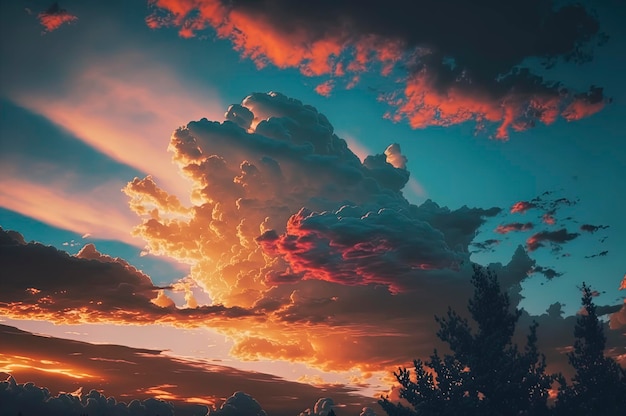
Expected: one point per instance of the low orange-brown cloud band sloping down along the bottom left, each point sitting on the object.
(189, 385)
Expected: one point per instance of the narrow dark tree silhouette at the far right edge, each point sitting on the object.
(599, 386)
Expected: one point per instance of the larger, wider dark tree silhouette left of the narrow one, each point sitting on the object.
(487, 373)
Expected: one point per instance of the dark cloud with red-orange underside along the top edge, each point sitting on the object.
(449, 70)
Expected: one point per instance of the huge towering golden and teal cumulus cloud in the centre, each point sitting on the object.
(283, 218)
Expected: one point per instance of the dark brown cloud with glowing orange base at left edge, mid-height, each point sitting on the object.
(87, 287)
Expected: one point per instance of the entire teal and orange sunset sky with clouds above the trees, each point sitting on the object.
(277, 193)
